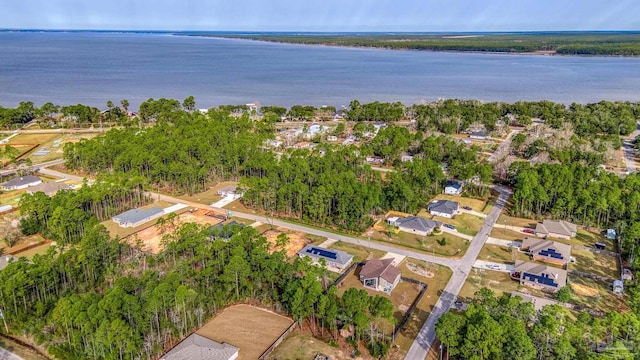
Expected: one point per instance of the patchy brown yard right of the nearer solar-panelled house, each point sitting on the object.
(604, 300)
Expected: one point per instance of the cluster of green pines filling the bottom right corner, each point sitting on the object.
(506, 328)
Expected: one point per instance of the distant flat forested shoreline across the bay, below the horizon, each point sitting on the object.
(583, 43)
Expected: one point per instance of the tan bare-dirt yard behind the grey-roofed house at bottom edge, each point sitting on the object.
(249, 328)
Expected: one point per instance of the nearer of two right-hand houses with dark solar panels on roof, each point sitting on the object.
(539, 276)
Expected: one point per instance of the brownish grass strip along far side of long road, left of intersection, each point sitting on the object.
(454, 246)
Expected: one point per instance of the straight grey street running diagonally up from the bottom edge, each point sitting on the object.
(427, 334)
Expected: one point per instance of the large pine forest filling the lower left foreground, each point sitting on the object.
(92, 297)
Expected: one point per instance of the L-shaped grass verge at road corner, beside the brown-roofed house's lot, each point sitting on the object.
(435, 285)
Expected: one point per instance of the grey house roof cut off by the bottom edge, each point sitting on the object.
(198, 347)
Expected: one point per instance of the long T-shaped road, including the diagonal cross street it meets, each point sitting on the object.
(460, 266)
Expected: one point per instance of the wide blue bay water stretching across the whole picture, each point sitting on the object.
(91, 68)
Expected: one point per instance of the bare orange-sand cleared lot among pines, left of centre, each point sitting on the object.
(151, 236)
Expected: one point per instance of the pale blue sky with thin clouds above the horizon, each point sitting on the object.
(322, 15)
